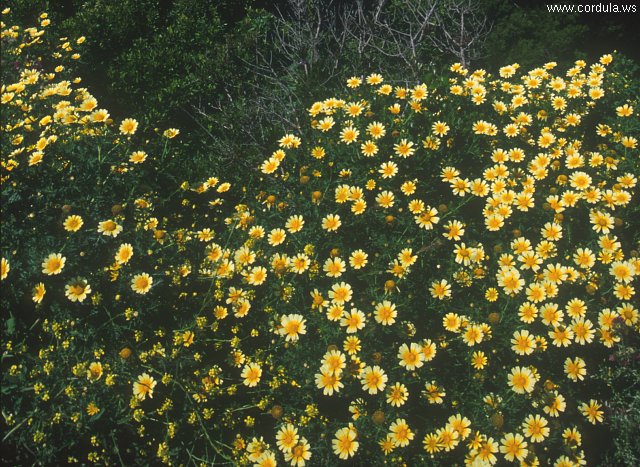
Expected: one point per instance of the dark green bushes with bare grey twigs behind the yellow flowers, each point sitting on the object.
(235, 74)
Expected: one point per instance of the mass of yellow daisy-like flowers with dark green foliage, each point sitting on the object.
(426, 275)
